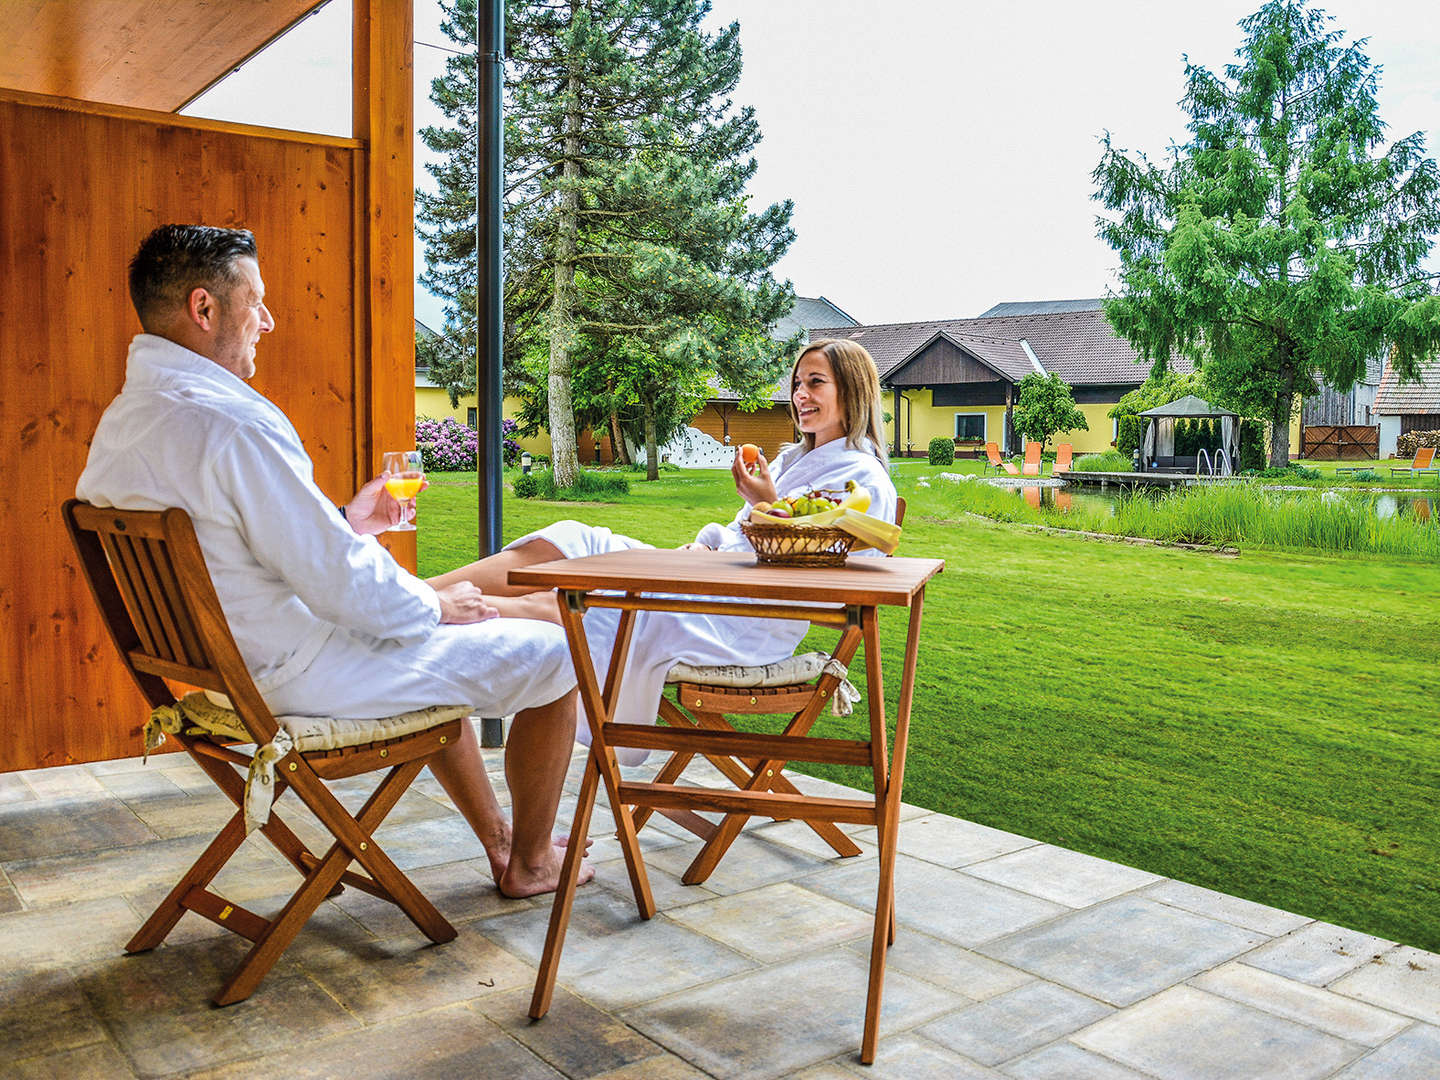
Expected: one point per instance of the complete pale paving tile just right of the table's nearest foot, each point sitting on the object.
(1010, 1025)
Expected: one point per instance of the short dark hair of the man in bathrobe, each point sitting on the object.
(179, 258)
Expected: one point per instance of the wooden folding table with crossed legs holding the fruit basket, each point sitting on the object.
(732, 584)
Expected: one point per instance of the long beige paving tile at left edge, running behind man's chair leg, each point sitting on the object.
(96, 875)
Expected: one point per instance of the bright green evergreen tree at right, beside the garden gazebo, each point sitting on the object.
(1279, 244)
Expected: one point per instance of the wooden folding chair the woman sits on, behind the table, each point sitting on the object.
(706, 705)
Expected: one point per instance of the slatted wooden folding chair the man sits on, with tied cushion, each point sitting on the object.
(150, 581)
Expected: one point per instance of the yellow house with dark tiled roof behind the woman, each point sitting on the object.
(960, 378)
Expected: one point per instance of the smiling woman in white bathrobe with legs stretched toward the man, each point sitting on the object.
(836, 405)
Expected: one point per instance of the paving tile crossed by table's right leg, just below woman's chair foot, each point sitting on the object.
(945, 904)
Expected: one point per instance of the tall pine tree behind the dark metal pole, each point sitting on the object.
(629, 241)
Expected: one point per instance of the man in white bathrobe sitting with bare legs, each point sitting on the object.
(326, 620)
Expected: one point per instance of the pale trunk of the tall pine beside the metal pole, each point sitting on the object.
(564, 459)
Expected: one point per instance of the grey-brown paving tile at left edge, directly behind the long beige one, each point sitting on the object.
(64, 826)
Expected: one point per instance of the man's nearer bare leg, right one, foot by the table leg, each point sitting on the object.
(536, 761)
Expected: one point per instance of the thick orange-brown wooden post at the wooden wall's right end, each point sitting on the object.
(384, 119)
